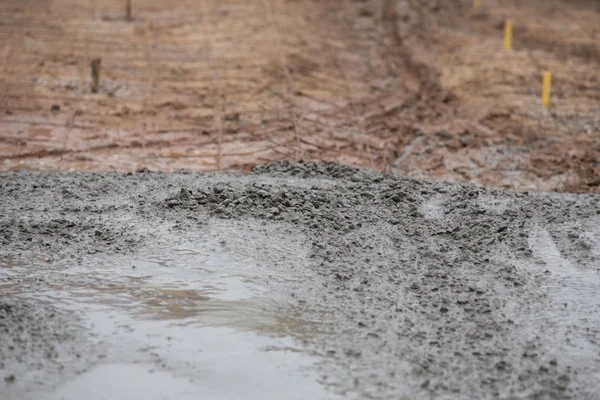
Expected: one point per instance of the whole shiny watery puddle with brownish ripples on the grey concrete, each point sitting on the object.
(201, 320)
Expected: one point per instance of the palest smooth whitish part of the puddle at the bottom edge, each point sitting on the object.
(196, 362)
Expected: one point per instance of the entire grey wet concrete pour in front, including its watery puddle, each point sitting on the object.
(306, 281)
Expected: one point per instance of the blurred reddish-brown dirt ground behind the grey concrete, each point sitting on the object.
(421, 88)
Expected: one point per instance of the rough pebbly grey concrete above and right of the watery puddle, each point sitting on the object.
(422, 289)
